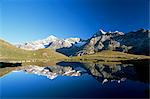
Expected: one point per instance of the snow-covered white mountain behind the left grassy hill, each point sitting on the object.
(51, 42)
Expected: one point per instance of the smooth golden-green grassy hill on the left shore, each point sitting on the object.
(10, 52)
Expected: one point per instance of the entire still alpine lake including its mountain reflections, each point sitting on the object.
(129, 79)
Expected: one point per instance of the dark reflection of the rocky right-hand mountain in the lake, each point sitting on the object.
(137, 71)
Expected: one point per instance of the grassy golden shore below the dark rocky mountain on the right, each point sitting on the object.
(108, 56)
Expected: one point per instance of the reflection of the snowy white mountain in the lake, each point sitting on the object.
(50, 72)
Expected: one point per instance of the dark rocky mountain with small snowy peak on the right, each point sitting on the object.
(133, 42)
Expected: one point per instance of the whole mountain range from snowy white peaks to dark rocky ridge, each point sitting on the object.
(133, 42)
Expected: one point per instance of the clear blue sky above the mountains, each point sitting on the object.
(29, 20)
